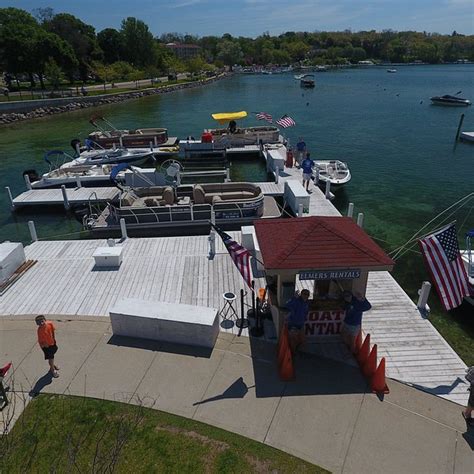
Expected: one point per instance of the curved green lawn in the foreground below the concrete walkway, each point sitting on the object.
(58, 433)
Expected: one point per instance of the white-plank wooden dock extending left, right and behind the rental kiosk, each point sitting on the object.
(177, 270)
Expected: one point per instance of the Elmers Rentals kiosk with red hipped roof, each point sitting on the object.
(327, 255)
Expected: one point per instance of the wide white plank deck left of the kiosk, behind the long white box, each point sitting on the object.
(65, 280)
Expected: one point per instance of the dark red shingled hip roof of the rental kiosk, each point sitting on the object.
(318, 243)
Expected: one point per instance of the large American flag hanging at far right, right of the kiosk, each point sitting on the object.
(442, 256)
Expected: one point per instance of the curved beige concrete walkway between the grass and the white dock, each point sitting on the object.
(327, 416)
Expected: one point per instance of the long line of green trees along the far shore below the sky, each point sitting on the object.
(62, 47)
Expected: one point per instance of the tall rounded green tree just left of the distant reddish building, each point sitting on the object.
(138, 43)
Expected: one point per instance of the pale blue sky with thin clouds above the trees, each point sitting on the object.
(253, 17)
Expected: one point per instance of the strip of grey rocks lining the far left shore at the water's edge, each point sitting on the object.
(76, 103)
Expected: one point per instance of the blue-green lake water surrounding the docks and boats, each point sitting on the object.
(399, 147)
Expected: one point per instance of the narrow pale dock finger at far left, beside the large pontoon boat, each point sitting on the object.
(56, 197)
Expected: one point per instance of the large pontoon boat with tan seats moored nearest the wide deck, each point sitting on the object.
(183, 207)
